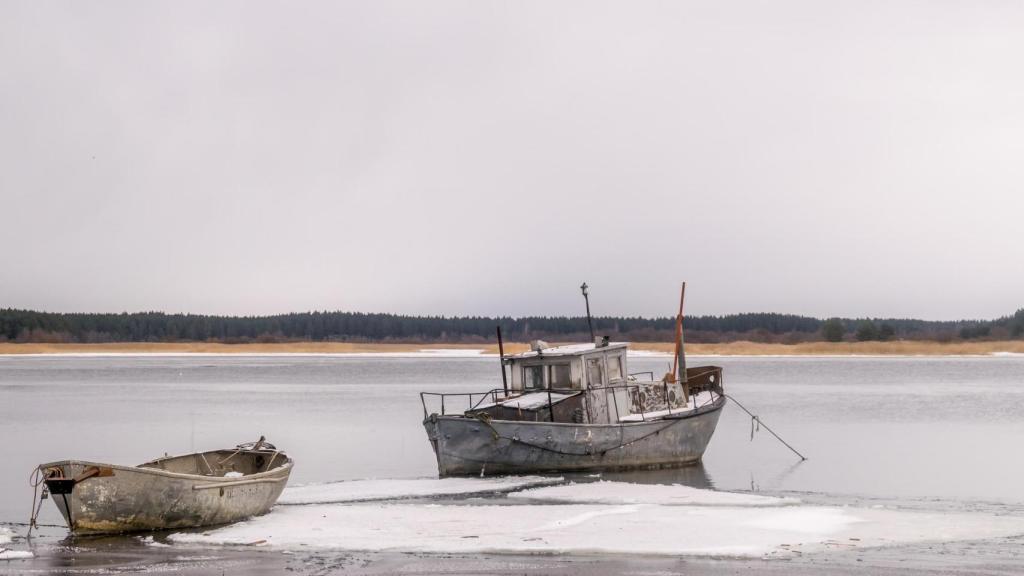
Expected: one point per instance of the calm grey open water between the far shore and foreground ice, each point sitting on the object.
(906, 430)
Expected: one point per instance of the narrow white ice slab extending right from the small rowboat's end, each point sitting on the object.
(364, 490)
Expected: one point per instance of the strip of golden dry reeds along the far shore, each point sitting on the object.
(738, 349)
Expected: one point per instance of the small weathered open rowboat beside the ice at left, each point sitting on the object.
(200, 489)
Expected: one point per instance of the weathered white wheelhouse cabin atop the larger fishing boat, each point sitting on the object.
(574, 367)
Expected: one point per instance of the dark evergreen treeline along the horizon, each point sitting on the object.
(30, 326)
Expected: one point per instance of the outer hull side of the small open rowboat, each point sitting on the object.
(133, 499)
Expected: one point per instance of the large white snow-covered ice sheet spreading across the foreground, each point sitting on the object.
(661, 524)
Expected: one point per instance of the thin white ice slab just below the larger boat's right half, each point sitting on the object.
(625, 493)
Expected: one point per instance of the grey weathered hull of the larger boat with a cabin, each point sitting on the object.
(471, 446)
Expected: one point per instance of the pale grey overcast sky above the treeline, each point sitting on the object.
(485, 158)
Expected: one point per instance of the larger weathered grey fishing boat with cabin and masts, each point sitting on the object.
(573, 408)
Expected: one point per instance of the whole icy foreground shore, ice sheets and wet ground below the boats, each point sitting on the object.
(537, 525)
